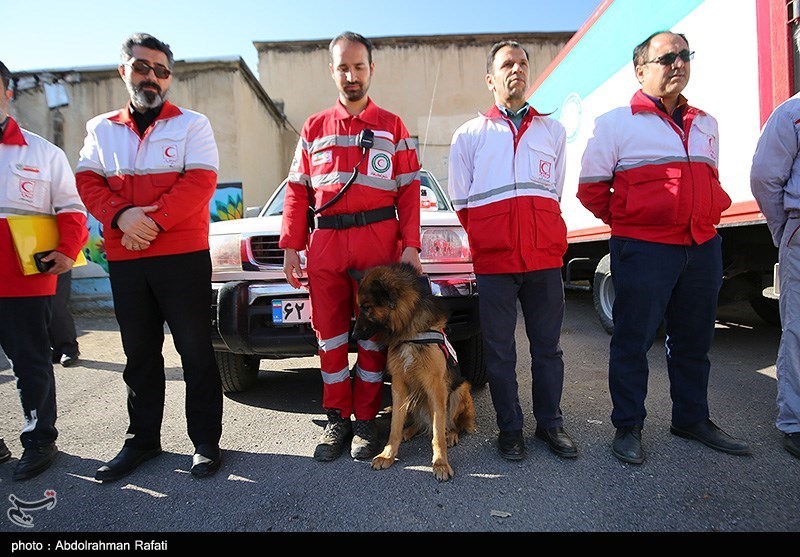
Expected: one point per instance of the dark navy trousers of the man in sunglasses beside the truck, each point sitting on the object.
(676, 285)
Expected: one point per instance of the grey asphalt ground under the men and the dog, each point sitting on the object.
(270, 484)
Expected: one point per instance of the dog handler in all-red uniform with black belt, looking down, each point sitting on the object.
(376, 222)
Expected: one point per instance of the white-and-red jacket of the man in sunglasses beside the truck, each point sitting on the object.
(649, 179)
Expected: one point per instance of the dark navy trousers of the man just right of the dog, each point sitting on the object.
(541, 296)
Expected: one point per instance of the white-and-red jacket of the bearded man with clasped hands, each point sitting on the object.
(172, 165)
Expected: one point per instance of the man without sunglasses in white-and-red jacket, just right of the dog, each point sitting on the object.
(506, 175)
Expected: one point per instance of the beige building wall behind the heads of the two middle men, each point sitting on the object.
(435, 83)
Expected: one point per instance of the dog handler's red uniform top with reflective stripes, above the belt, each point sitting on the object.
(324, 160)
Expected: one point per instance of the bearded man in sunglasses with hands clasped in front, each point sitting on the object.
(147, 172)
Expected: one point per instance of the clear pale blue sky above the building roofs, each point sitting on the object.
(51, 34)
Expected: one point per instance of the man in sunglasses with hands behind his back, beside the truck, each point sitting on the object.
(650, 172)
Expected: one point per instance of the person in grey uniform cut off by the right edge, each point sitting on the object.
(775, 183)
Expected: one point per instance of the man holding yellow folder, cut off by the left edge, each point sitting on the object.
(35, 179)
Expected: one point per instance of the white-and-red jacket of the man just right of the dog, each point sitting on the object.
(506, 186)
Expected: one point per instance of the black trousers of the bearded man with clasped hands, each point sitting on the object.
(148, 292)
